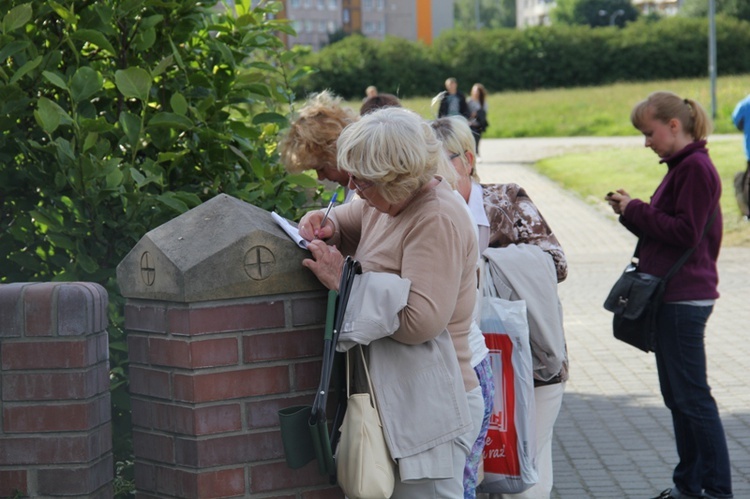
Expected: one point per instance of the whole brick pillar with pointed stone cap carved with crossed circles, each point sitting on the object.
(224, 328)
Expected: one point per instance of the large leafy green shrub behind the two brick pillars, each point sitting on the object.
(117, 116)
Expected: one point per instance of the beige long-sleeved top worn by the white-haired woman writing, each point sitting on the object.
(432, 244)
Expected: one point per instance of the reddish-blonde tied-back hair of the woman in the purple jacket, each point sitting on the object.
(664, 106)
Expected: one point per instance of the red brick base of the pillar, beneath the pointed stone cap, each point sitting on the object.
(207, 380)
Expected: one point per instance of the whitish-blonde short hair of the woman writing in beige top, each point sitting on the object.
(395, 149)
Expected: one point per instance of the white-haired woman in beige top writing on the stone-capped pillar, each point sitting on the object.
(408, 226)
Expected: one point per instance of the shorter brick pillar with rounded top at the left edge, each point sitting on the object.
(55, 424)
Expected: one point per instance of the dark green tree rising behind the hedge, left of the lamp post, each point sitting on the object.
(595, 12)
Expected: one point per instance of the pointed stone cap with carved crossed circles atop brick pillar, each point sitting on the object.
(225, 248)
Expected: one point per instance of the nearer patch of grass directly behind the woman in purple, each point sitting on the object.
(638, 171)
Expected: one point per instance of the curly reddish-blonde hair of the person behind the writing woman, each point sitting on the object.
(310, 142)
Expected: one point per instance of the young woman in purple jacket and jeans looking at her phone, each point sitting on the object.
(676, 130)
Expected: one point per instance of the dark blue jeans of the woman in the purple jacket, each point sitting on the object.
(699, 434)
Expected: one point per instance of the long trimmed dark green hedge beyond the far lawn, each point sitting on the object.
(540, 57)
